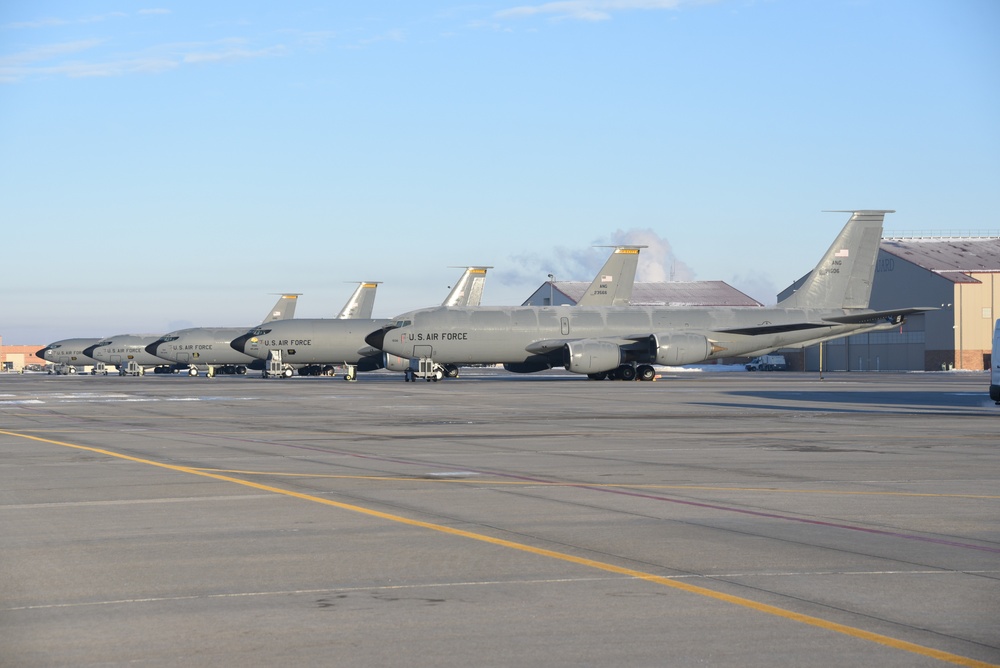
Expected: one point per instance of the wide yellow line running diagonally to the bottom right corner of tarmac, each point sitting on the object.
(851, 631)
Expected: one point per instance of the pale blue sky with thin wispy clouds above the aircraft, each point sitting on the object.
(171, 164)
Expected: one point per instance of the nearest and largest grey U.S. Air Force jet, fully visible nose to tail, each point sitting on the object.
(624, 342)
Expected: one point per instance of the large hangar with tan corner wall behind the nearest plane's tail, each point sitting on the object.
(960, 276)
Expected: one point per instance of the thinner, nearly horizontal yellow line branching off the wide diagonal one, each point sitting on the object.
(542, 483)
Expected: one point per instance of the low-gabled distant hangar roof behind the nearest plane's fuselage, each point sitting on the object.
(674, 293)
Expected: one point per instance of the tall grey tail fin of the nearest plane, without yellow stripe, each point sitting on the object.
(843, 278)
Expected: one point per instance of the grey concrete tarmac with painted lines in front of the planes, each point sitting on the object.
(706, 519)
